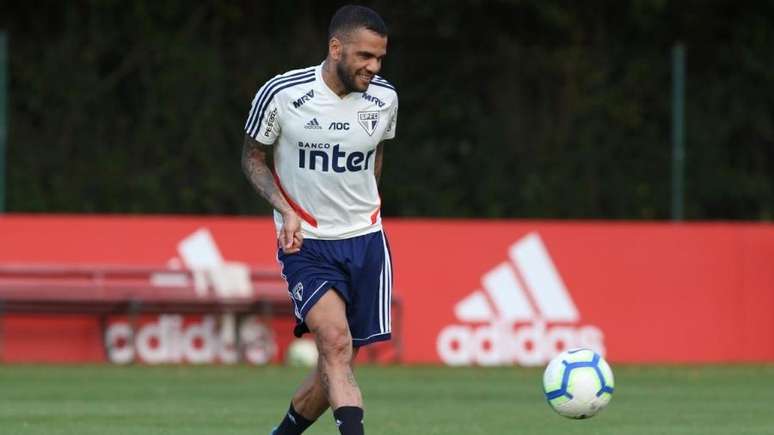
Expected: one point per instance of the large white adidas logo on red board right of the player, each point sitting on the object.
(524, 314)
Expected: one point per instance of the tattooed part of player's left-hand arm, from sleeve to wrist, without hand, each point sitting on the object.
(257, 164)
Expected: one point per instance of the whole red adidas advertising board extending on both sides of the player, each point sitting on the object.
(472, 291)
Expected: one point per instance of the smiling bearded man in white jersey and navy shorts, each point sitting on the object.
(313, 149)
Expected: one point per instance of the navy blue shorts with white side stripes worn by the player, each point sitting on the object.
(359, 269)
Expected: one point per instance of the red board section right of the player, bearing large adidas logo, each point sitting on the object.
(517, 291)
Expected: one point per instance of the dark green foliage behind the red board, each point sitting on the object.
(526, 109)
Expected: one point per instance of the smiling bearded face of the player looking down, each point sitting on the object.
(361, 58)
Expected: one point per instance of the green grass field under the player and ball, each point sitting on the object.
(103, 400)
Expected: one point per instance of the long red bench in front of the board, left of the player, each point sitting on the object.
(112, 290)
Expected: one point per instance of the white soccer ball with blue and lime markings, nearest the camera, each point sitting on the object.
(578, 383)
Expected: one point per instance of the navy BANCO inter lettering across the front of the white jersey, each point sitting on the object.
(324, 157)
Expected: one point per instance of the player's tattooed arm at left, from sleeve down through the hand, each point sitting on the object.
(257, 164)
